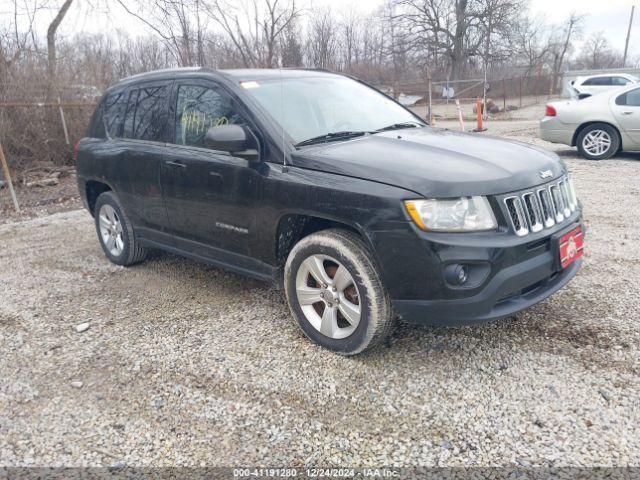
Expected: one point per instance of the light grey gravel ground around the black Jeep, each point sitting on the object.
(185, 364)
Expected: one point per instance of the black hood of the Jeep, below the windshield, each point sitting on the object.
(435, 162)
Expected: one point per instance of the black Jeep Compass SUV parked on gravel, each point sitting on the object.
(323, 184)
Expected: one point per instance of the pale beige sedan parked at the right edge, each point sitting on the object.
(600, 126)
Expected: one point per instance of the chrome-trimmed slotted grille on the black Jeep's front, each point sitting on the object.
(541, 208)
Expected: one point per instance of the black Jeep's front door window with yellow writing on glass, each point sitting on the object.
(200, 108)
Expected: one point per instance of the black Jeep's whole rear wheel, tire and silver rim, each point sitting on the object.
(113, 224)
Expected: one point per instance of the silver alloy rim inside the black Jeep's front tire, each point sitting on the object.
(328, 296)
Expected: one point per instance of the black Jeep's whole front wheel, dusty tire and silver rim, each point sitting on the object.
(362, 292)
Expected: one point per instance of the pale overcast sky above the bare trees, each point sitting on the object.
(609, 16)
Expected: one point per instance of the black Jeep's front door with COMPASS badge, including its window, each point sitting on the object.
(208, 194)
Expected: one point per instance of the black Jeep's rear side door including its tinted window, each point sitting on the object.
(144, 133)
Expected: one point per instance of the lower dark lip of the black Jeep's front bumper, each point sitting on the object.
(511, 290)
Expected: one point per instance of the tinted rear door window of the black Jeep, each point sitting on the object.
(146, 116)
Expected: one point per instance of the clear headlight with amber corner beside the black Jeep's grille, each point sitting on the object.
(452, 214)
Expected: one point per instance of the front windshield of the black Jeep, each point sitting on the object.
(316, 106)
